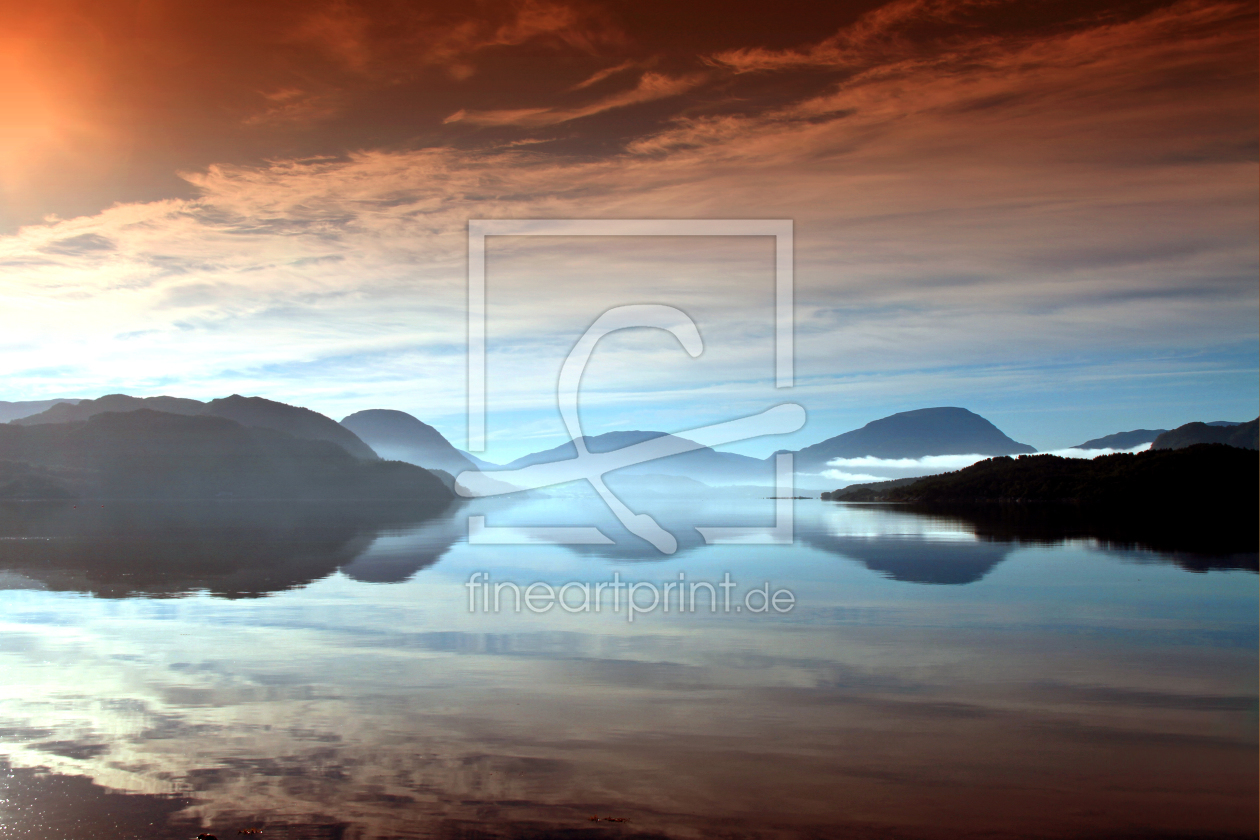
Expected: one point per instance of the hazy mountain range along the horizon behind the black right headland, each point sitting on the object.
(396, 436)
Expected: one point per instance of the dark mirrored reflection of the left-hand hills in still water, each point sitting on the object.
(231, 550)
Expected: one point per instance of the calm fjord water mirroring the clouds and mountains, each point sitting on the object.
(318, 673)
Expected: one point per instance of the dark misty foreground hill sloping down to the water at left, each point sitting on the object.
(154, 455)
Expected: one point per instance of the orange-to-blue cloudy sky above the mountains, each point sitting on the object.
(1045, 212)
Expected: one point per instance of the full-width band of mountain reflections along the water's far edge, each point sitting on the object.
(235, 550)
